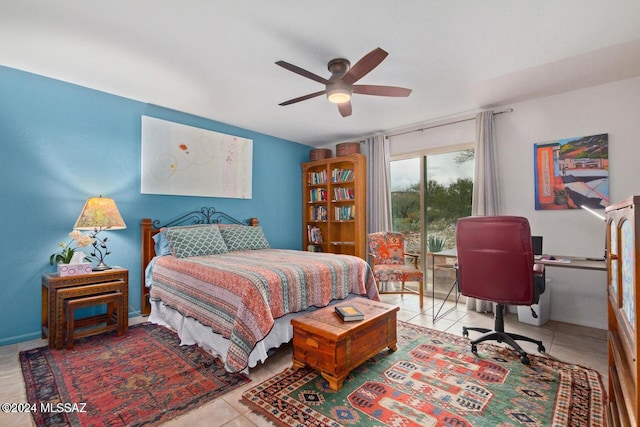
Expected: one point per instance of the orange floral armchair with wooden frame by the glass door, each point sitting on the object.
(386, 249)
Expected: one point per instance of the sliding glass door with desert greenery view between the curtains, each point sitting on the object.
(429, 192)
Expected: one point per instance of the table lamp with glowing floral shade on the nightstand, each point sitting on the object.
(98, 214)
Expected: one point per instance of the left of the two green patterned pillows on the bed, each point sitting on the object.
(196, 240)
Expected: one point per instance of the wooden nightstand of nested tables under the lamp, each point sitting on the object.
(56, 289)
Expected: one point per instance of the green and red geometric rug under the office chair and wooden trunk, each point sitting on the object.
(433, 379)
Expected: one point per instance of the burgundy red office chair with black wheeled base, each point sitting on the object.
(495, 263)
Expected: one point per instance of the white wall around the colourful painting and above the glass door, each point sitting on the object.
(577, 297)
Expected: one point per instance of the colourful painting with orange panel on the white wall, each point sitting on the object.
(571, 173)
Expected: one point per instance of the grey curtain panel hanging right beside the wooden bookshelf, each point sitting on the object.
(378, 184)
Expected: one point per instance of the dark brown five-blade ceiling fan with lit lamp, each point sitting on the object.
(340, 86)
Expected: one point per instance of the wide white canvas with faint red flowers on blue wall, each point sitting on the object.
(188, 161)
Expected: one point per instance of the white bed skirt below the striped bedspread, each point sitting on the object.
(192, 332)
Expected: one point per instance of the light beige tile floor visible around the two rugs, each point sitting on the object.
(569, 343)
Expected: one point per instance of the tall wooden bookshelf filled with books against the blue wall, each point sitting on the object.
(334, 205)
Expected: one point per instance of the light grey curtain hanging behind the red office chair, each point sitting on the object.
(486, 194)
